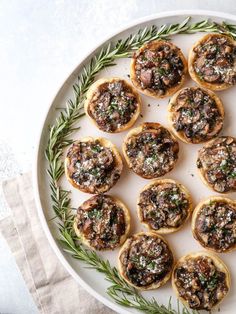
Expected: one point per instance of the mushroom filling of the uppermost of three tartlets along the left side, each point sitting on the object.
(113, 106)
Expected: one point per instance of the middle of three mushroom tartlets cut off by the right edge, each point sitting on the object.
(217, 164)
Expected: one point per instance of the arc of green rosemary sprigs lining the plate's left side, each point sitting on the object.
(59, 139)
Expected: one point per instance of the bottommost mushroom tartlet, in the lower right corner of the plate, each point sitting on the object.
(201, 280)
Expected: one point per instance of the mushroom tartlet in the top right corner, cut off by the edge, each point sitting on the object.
(212, 62)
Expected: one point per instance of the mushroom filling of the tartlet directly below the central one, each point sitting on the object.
(163, 206)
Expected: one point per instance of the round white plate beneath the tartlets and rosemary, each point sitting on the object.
(129, 185)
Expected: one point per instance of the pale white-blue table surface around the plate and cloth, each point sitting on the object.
(40, 44)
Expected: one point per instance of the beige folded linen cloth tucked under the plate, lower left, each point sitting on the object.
(51, 286)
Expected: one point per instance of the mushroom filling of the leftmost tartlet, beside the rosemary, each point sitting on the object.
(92, 165)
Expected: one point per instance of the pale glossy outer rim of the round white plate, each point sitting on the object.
(36, 190)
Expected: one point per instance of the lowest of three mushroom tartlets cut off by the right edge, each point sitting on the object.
(214, 224)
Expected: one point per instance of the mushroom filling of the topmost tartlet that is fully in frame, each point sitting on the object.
(159, 69)
